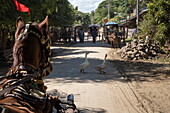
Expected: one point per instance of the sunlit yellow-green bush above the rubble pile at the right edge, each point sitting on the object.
(156, 23)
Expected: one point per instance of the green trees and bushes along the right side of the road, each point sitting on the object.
(155, 24)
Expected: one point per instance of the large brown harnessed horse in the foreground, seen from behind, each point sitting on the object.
(22, 89)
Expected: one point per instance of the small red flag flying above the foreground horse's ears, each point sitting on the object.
(21, 7)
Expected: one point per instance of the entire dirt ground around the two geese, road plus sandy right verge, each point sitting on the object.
(147, 89)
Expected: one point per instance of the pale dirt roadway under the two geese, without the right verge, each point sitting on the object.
(94, 92)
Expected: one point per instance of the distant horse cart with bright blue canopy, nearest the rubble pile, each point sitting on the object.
(114, 34)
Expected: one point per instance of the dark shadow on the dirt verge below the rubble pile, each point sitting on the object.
(142, 71)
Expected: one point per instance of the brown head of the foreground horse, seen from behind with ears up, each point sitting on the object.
(32, 47)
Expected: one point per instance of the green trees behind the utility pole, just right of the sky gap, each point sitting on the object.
(119, 9)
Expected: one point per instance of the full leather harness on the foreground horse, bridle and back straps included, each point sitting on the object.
(26, 74)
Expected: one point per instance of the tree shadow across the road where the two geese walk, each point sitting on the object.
(67, 70)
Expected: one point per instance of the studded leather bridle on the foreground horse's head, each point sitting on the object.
(44, 41)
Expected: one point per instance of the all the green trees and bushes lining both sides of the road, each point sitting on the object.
(156, 23)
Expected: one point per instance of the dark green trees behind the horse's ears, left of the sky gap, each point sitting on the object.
(60, 13)
